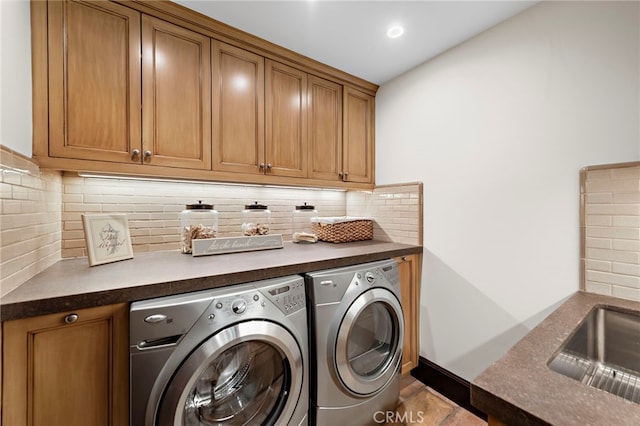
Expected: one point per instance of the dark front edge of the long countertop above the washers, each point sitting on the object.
(13, 311)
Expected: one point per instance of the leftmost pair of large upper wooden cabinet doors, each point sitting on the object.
(96, 80)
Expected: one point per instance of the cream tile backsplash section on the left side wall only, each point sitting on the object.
(31, 219)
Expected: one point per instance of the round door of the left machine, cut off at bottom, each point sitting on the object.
(248, 373)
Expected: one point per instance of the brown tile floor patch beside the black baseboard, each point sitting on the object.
(421, 405)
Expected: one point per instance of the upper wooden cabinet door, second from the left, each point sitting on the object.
(176, 96)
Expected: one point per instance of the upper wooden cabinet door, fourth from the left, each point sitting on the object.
(286, 120)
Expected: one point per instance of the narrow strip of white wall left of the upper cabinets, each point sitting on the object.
(15, 76)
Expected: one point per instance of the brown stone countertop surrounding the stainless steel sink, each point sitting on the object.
(519, 389)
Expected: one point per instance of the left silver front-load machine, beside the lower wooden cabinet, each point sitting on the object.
(229, 356)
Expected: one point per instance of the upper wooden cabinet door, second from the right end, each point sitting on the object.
(324, 103)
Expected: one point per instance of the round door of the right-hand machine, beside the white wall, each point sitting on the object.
(368, 347)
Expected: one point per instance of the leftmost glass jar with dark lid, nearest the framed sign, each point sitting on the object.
(197, 221)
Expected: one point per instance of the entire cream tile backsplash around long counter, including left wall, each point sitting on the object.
(42, 211)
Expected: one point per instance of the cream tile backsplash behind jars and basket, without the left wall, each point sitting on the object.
(153, 208)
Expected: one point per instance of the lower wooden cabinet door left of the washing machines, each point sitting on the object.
(59, 374)
